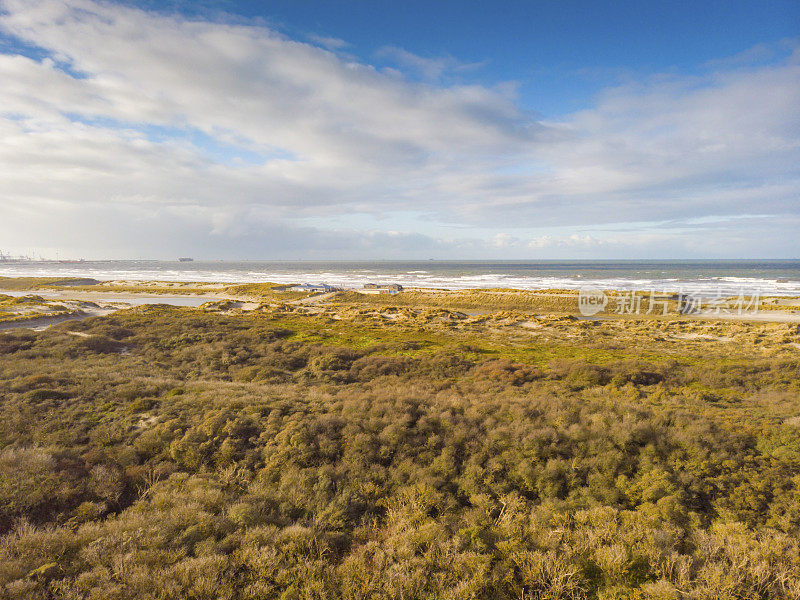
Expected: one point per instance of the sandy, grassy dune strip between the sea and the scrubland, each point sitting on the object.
(108, 296)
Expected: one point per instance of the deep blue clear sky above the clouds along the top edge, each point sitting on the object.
(560, 53)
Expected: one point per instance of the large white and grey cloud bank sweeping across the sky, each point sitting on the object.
(136, 111)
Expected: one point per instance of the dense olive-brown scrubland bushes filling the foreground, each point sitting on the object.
(379, 450)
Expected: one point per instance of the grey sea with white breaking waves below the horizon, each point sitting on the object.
(775, 277)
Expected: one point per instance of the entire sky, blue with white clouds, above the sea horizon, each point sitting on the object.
(373, 129)
